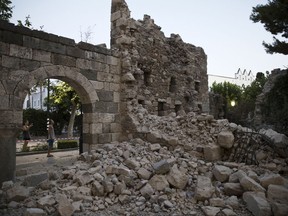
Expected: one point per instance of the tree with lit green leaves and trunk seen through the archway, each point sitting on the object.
(65, 100)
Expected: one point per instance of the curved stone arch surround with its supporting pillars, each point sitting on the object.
(14, 90)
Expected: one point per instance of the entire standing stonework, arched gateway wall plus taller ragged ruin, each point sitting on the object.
(143, 67)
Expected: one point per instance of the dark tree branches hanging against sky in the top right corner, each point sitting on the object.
(275, 19)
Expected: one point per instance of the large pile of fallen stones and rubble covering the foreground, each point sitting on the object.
(177, 171)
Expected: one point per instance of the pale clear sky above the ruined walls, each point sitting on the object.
(222, 28)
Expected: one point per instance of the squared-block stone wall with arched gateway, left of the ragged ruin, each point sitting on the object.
(29, 56)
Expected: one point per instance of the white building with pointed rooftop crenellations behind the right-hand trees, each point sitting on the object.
(240, 78)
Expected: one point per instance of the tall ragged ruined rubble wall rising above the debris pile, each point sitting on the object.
(163, 74)
